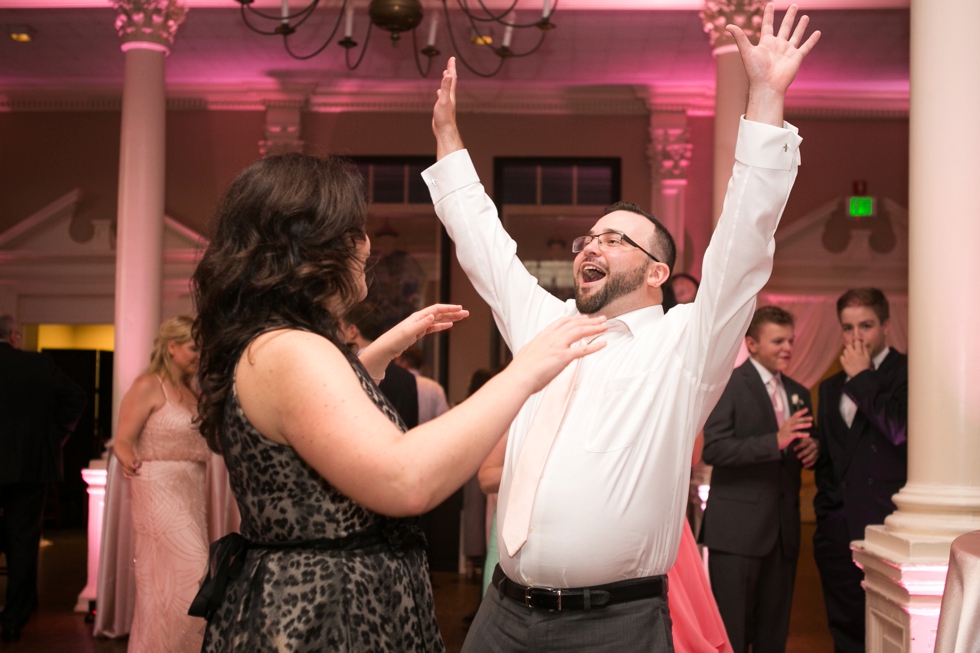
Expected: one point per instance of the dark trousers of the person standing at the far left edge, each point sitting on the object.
(23, 505)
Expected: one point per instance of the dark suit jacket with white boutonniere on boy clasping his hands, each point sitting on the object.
(755, 487)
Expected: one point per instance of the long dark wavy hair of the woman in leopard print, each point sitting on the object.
(284, 250)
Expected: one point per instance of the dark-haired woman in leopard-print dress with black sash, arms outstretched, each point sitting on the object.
(327, 479)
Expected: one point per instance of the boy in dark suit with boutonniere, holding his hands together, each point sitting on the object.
(757, 441)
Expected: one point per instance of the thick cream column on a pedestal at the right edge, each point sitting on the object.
(905, 560)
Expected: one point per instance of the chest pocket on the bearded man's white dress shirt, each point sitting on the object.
(610, 428)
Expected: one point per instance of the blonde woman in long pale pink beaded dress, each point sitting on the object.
(165, 458)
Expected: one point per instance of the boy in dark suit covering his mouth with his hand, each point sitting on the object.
(862, 430)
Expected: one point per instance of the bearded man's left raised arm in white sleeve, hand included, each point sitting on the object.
(486, 252)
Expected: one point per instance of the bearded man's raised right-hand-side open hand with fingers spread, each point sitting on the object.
(772, 65)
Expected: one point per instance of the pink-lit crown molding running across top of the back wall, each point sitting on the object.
(610, 100)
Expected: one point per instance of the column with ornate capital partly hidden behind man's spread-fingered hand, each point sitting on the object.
(731, 84)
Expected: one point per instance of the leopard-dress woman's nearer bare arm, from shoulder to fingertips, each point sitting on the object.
(298, 389)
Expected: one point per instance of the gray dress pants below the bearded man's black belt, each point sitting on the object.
(504, 625)
